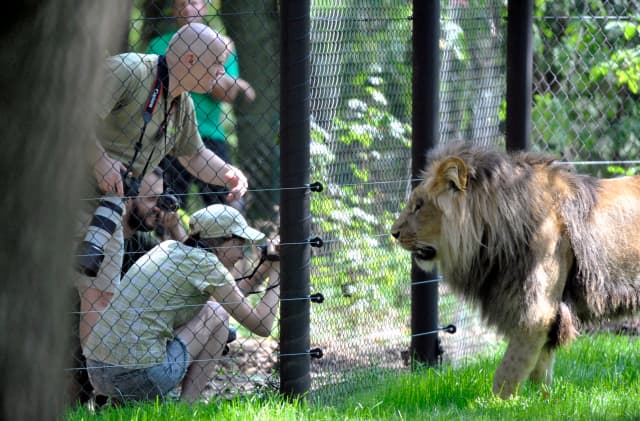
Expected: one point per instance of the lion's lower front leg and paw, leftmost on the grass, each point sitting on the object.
(519, 360)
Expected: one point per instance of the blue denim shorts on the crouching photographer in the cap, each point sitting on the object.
(128, 384)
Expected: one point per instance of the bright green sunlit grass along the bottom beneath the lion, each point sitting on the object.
(596, 379)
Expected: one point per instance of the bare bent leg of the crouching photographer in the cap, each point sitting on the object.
(205, 337)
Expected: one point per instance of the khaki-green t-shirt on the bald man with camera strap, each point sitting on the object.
(129, 78)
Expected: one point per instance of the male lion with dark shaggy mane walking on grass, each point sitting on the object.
(538, 248)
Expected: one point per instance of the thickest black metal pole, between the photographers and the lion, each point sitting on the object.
(295, 378)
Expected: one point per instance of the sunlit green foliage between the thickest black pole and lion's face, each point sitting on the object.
(353, 213)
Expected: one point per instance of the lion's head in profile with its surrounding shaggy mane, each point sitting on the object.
(477, 209)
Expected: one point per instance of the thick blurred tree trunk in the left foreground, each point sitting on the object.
(51, 51)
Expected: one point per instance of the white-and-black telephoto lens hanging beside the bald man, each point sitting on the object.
(106, 218)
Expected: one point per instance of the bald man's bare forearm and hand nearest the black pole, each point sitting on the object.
(210, 168)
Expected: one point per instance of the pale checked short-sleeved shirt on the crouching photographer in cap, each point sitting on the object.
(163, 290)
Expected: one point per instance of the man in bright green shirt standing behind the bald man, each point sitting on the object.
(209, 113)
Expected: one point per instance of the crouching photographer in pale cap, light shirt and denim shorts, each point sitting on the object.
(183, 295)
